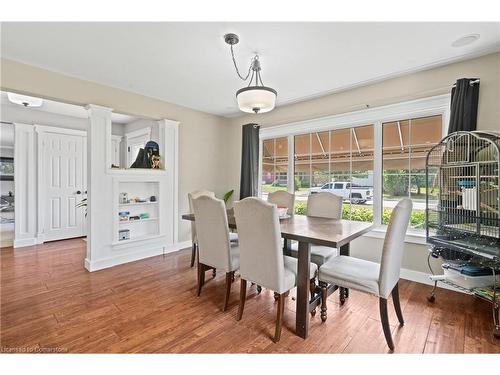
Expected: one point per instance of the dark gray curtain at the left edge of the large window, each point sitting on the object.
(249, 182)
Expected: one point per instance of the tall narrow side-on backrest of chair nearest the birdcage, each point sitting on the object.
(392, 252)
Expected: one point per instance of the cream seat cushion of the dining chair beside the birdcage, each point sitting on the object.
(349, 272)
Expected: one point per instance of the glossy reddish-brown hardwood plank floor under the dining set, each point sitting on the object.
(49, 303)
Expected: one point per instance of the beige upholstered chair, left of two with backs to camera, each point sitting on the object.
(215, 250)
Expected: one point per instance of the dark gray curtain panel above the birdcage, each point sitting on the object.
(464, 101)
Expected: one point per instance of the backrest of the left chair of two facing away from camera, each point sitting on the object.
(213, 232)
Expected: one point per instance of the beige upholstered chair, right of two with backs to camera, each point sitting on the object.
(261, 257)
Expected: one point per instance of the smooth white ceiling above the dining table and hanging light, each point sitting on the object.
(189, 64)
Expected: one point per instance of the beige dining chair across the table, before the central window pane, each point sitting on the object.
(325, 205)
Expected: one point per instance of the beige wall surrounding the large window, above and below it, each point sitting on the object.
(412, 86)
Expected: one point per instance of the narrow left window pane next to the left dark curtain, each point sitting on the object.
(274, 165)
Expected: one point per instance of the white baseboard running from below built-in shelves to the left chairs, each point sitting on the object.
(100, 264)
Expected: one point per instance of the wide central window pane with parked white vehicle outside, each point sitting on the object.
(344, 155)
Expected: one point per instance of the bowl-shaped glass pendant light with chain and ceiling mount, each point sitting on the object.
(255, 98)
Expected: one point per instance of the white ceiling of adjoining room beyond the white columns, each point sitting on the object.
(66, 109)
